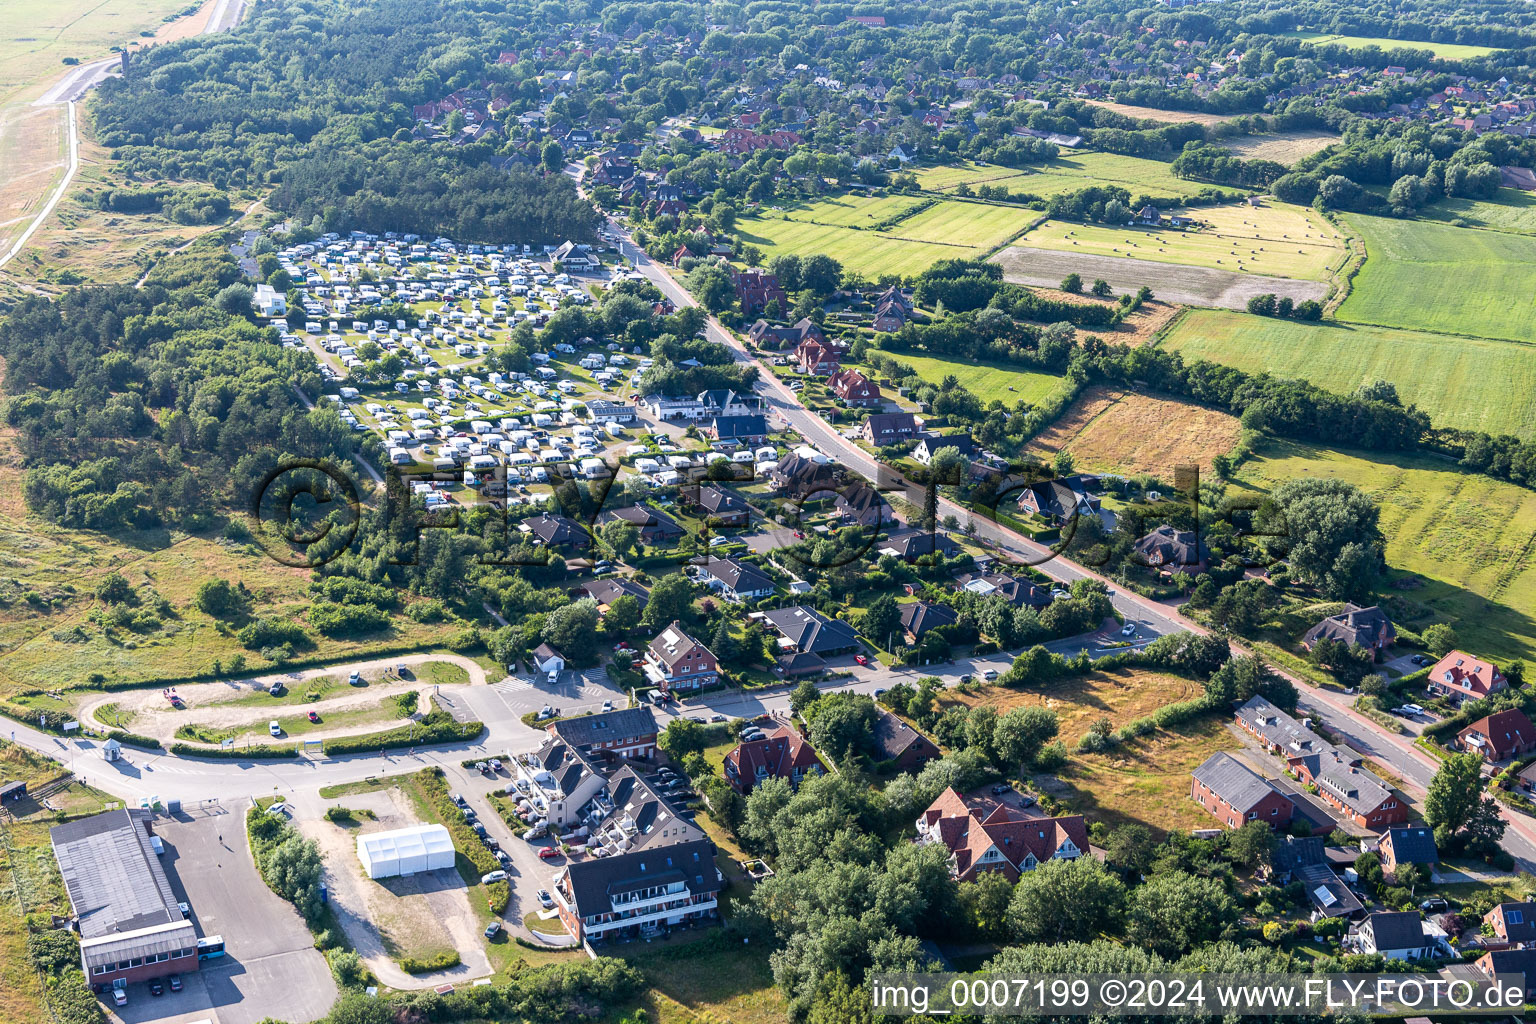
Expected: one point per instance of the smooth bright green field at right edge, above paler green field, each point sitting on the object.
(1434, 277)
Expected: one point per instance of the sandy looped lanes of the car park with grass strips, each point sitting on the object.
(211, 704)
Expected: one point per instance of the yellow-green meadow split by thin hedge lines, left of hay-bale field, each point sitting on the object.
(844, 230)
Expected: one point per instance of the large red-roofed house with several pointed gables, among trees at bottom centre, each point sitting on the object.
(984, 836)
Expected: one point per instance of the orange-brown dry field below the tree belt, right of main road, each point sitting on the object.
(1130, 434)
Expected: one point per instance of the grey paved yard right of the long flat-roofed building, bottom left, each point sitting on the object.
(273, 968)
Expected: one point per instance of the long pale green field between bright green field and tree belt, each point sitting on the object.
(1465, 383)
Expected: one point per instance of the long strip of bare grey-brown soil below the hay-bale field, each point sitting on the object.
(1171, 283)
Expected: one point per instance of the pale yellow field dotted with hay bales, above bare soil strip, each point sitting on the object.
(1276, 240)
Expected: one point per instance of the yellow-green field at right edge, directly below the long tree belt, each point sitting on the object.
(1462, 547)
